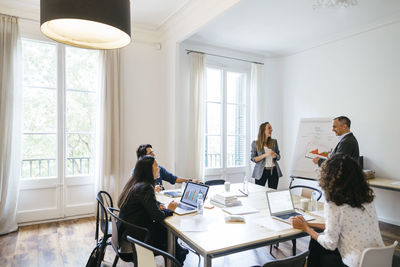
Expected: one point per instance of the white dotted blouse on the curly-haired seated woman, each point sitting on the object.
(351, 230)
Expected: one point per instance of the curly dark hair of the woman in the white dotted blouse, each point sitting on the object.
(343, 182)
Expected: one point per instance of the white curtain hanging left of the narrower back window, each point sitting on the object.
(197, 80)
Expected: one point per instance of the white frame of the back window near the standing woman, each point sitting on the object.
(224, 171)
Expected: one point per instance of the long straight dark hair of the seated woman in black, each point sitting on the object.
(143, 173)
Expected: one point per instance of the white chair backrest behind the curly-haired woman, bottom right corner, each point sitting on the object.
(381, 256)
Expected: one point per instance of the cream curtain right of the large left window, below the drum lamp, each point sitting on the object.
(110, 127)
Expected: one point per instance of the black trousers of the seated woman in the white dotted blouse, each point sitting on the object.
(321, 257)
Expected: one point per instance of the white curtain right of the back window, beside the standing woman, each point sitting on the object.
(256, 101)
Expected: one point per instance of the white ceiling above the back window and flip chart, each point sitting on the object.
(281, 27)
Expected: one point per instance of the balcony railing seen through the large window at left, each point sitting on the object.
(47, 167)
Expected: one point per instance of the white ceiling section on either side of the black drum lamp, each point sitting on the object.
(150, 14)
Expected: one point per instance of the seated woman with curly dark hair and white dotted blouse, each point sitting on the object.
(351, 223)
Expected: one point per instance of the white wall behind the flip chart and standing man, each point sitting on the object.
(357, 77)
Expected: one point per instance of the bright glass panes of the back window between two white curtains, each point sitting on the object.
(226, 119)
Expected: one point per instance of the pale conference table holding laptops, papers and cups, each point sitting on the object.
(211, 236)
